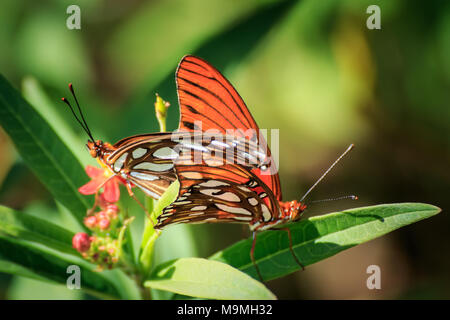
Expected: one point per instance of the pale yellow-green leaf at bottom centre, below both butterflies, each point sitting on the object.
(207, 279)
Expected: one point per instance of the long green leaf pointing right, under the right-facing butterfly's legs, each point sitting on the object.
(318, 238)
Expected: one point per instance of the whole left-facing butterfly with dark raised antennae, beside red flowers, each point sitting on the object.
(146, 160)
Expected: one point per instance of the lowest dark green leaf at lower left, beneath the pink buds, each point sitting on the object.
(24, 259)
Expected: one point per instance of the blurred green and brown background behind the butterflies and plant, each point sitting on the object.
(309, 68)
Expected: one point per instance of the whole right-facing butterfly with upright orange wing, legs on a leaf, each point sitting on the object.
(231, 192)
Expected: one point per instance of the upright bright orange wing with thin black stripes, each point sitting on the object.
(207, 97)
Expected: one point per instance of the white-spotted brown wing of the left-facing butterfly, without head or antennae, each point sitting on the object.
(147, 161)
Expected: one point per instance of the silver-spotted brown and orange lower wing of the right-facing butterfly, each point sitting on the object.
(228, 193)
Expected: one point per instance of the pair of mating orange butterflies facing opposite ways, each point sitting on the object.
(230, 192)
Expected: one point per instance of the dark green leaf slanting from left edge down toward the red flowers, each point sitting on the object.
(43, 150)
